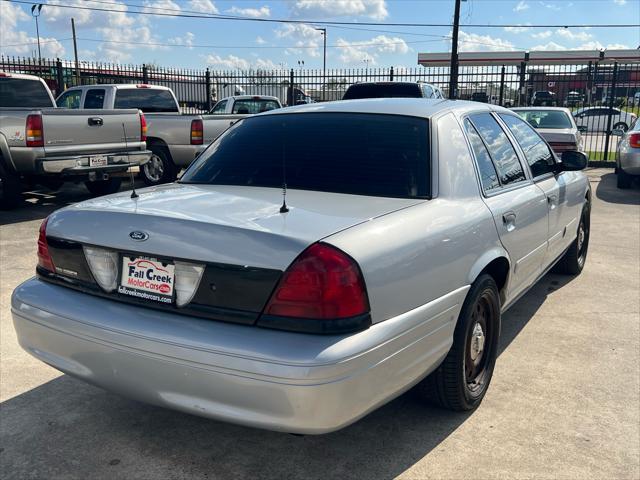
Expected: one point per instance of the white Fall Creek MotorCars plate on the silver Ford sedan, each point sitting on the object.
(147, 278)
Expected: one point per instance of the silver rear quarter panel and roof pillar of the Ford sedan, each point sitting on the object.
(419, 254)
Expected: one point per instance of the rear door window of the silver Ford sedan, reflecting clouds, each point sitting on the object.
(502, 152)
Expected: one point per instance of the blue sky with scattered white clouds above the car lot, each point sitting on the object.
(120, 35)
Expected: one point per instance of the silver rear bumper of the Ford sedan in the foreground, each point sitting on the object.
(275, 380)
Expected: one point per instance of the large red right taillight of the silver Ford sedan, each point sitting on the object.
(322, 283)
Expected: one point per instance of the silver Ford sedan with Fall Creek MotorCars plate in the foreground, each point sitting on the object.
(407, 227)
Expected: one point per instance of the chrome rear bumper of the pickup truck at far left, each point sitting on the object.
(80, 164)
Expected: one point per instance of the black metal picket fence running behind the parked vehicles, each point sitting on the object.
(610, 91)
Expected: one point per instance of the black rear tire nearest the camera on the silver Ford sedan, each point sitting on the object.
(459, 383)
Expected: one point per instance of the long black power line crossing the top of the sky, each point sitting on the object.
(145, 11)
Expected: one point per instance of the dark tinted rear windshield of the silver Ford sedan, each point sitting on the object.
(353, 153)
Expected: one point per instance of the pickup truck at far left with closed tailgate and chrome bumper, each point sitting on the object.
(40, 143)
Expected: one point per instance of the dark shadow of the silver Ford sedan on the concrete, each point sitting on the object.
(67, 428)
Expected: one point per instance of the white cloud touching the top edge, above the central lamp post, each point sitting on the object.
(376, 9)
